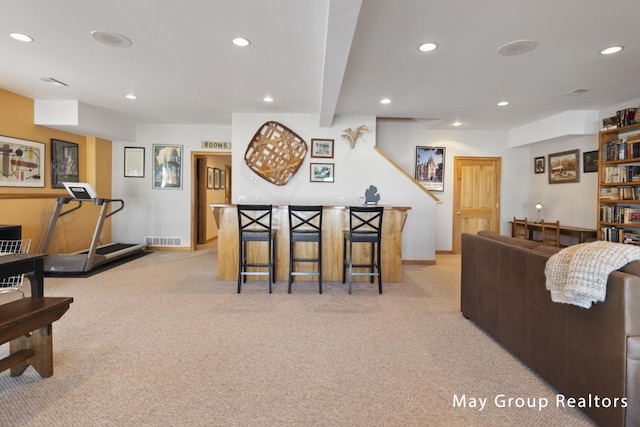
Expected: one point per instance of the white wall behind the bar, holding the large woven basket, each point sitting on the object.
(355, 170)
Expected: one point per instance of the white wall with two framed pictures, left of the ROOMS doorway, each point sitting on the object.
(154, 212)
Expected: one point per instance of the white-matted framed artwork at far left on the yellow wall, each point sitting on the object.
(21, 163)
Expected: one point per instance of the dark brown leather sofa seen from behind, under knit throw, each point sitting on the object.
(590, 355)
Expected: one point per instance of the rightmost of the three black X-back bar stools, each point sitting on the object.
(365, 226)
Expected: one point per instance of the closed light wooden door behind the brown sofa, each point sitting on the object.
(476, 203)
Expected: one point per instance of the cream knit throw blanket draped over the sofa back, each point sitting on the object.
(578, 274)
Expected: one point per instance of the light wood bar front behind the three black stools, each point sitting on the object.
(335, 219)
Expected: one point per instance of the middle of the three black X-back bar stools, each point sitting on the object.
(305, 226)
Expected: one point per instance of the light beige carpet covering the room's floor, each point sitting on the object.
(159, 342)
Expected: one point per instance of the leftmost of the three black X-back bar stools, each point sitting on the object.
(255, 226)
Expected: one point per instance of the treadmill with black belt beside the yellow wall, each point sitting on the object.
(85, 260)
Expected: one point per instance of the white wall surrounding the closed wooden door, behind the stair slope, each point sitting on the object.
(399, 138)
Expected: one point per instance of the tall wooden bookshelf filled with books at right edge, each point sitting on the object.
(619, 184)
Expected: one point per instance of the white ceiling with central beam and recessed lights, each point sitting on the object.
(325, 57)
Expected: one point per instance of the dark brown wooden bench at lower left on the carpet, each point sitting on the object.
(26, 325)
